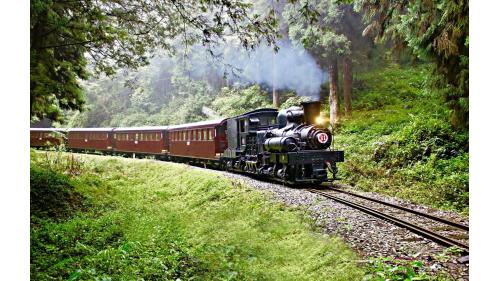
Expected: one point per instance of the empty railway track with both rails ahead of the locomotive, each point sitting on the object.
(410, 225)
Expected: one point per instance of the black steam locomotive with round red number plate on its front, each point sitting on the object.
(285, 145)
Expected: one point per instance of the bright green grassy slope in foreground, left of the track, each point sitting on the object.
(144, 219)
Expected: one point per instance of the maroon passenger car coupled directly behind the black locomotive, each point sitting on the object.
(202, 140)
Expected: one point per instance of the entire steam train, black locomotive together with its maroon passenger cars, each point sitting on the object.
(286, 145)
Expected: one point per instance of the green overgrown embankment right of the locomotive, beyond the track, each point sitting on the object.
(399, 140)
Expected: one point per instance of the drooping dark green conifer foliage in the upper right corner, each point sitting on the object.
(436, 30)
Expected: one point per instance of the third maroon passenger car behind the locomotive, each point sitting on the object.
(90, 139)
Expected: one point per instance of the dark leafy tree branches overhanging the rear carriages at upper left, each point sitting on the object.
(67, 35)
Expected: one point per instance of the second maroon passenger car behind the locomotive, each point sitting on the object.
(141, 140)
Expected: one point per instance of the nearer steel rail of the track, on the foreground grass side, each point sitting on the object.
(445, 241)
